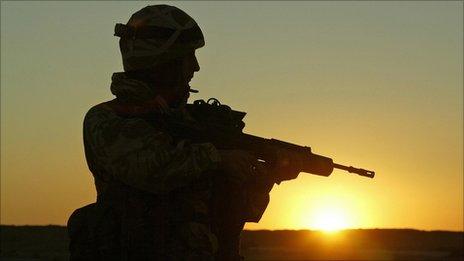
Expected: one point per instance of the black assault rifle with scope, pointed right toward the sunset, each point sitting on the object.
(222, 126)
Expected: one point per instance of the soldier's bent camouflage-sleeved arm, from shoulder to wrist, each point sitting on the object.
(137, 154)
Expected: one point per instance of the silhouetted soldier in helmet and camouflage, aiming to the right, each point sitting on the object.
(159, 198)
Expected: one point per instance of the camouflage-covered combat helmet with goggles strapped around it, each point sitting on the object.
(157, 34)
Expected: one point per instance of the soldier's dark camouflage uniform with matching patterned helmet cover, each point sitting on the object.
(158, 198)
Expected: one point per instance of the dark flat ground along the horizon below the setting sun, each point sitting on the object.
(21, 243)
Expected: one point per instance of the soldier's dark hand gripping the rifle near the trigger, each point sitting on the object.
(238, 165)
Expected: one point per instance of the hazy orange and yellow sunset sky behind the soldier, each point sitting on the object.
(372, 84)
